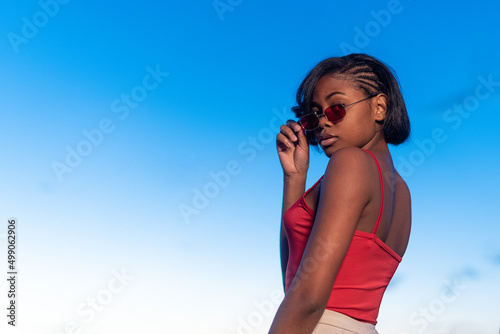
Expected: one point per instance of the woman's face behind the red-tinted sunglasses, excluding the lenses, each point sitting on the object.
(359, 127)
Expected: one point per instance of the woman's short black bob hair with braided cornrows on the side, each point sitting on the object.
(368, 74)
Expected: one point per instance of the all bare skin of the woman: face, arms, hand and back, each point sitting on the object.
(346, 200)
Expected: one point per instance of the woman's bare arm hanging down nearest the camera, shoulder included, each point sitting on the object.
(347, 188)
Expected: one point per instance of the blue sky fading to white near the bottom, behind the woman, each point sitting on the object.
(118, 117)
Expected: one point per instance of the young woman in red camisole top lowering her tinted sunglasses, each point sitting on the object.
(342, 239)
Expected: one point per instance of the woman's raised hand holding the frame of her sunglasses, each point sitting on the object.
(293, 149)
